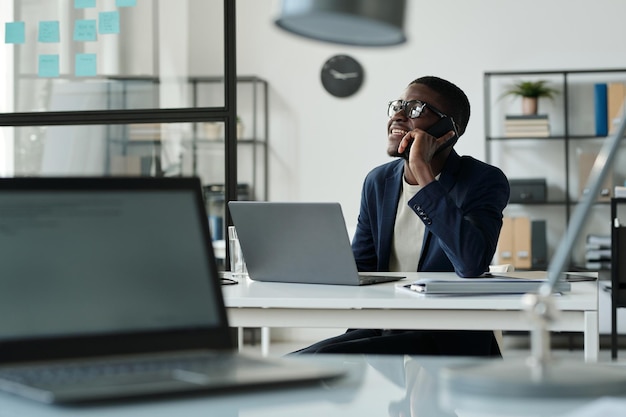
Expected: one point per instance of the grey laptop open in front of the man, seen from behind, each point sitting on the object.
(298, 243)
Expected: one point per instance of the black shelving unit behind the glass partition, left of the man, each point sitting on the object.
(252, 147)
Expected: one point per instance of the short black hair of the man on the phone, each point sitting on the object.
(456, 102)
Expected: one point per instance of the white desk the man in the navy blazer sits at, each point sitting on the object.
(264, 304)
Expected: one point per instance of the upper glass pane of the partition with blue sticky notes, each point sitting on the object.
(75, 55)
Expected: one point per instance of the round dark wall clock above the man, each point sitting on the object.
(342, 75)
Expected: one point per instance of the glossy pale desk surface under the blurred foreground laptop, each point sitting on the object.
(374, 386)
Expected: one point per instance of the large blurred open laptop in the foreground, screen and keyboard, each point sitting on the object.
(109, 289)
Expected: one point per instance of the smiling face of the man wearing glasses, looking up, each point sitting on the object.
(399, 124)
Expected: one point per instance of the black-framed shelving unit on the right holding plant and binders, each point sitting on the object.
(555, 157)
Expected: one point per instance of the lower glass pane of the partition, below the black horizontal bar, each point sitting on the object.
(141, 149)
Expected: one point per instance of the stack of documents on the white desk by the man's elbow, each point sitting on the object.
(490, 285)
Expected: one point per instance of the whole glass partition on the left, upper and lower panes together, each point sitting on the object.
(129, 87)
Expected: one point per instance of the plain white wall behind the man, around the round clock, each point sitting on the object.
(322, 147)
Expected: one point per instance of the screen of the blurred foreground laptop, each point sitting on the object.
(85, 262)
